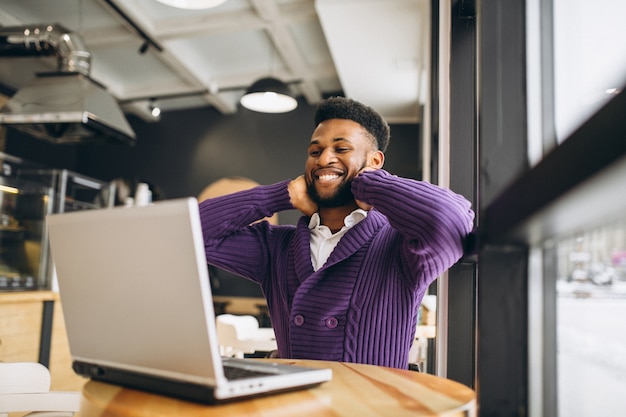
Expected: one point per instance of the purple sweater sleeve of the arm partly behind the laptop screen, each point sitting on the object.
(231, 241)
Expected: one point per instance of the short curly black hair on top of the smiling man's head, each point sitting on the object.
(345, 108)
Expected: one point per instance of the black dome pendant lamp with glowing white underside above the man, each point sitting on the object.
(269, 95)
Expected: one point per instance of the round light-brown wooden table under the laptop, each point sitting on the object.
(355, 390)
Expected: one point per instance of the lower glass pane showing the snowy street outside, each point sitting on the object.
(591, 323)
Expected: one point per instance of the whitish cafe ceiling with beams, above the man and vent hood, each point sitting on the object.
(375, 51)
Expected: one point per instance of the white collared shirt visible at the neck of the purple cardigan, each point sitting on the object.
(323, 241)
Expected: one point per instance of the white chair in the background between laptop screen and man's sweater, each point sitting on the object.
(238, 335)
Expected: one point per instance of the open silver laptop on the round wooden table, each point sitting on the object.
(137, 303)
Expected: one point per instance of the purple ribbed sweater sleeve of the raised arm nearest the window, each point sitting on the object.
(433, 221)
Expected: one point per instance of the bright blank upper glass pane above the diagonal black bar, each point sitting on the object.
(589, 59)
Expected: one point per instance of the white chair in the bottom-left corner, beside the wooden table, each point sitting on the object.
(25, 387)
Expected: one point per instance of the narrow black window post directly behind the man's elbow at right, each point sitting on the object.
(462, 278)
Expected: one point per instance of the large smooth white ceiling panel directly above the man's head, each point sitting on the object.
(381, 52)
